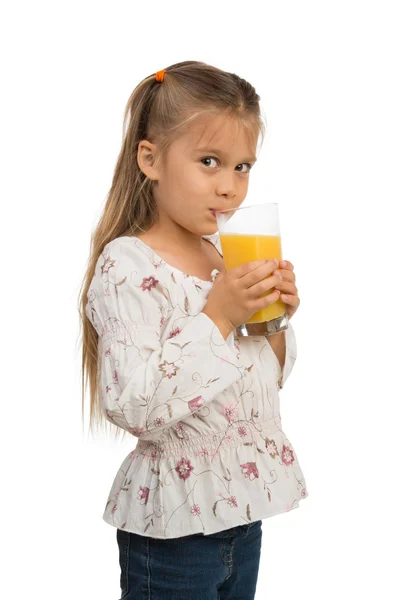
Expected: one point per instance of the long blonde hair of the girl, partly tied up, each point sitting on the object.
(158, 112)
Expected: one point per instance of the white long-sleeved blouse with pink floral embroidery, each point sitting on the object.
(211, 453)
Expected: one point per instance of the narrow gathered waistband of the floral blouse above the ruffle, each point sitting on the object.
(256, 434)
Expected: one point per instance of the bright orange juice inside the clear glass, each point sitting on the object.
(239, 249)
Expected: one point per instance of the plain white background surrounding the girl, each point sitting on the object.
(328, 77)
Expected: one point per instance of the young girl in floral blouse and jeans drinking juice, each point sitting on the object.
(159, 315)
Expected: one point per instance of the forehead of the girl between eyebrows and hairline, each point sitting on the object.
(220, 132)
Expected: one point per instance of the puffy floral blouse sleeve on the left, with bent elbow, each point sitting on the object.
(147, 384)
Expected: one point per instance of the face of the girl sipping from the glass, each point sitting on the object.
(206, 168)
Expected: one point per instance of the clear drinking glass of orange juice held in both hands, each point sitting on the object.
(252, 233)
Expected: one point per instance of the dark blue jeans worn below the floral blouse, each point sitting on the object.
(218, 566)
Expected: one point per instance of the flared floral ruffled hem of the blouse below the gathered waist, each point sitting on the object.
(169, 497)
